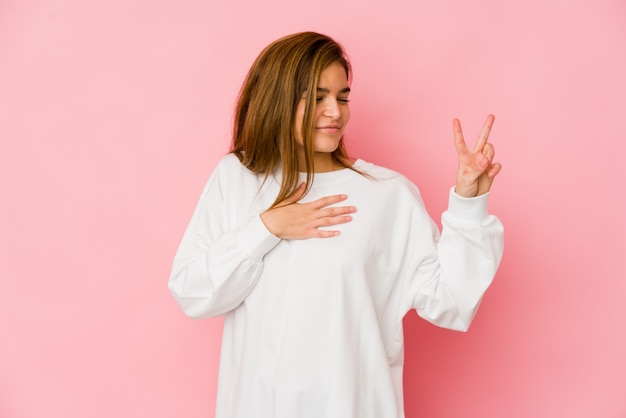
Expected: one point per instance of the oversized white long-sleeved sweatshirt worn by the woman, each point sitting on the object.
(313, 328)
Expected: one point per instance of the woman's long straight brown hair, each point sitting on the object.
(264, 131)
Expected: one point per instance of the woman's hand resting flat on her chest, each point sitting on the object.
(292, 220)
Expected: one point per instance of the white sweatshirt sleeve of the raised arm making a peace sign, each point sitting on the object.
(455, 273)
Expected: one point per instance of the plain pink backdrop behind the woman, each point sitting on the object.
(113, 114)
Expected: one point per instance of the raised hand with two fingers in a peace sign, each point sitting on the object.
(476, 170)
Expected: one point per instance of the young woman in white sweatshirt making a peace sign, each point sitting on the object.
(314, 258)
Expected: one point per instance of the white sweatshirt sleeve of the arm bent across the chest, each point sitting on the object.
(220, 257)
